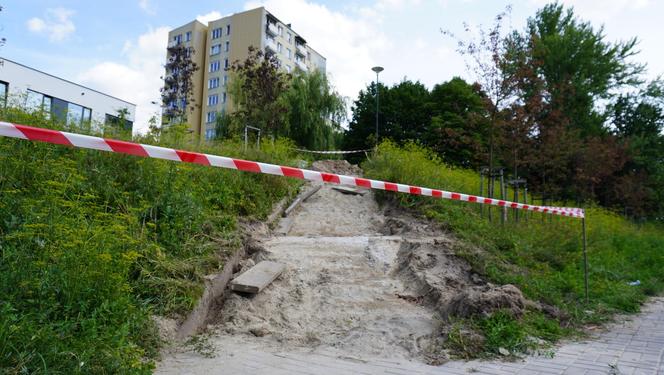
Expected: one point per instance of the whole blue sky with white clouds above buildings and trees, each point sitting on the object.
(119, 47)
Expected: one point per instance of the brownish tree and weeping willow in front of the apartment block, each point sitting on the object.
(302, 106)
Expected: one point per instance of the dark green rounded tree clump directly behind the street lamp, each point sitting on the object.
(449, 119)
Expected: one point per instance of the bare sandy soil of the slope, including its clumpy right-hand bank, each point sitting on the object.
(364, 282)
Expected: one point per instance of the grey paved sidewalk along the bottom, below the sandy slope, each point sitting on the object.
(633, 347)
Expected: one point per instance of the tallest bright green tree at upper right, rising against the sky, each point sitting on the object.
(574, 64)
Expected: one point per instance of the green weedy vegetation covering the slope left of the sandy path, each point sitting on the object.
(92, 244)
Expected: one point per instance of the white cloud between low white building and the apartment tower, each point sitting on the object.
(139, 79)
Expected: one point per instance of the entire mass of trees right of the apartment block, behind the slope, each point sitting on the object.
(555, 103)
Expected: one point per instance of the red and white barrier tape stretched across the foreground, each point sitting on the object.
(130, 148)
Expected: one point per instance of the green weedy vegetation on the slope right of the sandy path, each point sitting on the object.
(542, 256)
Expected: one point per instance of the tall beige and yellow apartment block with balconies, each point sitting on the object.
(221, 42)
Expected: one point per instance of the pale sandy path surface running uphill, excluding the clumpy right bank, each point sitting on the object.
(337, 292)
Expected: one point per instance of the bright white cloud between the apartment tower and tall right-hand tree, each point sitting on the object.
(365, 36)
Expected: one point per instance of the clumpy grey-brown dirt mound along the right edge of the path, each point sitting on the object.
(434, 274)
